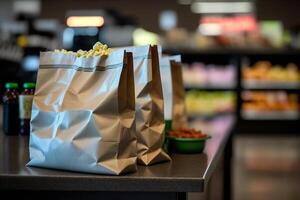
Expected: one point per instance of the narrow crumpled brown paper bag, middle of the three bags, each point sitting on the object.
(149, 104)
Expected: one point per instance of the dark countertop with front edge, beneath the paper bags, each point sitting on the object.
(186, 173)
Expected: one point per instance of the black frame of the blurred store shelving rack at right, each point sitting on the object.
(251, 122)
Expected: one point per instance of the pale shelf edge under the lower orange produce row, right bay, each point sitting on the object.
(270, 115)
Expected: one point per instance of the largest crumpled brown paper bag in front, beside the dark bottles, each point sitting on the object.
(83, 114)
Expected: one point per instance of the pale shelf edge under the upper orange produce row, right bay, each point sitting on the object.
(253, 84)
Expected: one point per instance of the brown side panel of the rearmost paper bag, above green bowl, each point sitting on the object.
(179, 116)
